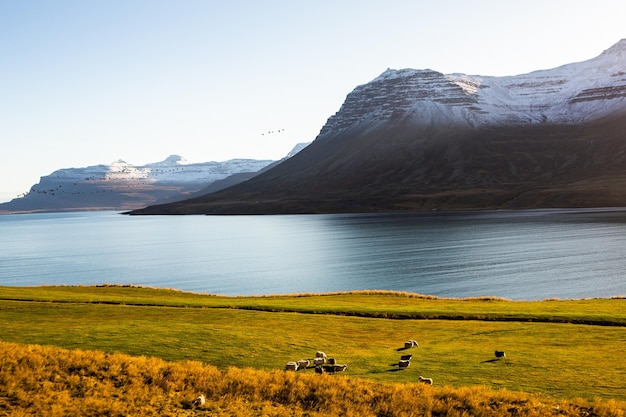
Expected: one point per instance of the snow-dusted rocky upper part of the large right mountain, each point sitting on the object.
(571, 93)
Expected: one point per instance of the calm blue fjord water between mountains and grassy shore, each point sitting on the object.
(531, 254)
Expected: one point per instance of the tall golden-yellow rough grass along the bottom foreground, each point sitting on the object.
(49, 381)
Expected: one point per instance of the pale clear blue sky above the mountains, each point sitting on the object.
(85, 82)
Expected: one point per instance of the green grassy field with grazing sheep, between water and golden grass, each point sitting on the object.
(549, 349)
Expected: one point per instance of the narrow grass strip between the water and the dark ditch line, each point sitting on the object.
(378, 304)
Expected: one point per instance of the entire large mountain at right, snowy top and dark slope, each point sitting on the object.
(422, 140)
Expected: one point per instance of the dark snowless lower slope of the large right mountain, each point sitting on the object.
(421, 167)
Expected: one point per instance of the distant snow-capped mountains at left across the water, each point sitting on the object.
(123, 186)
